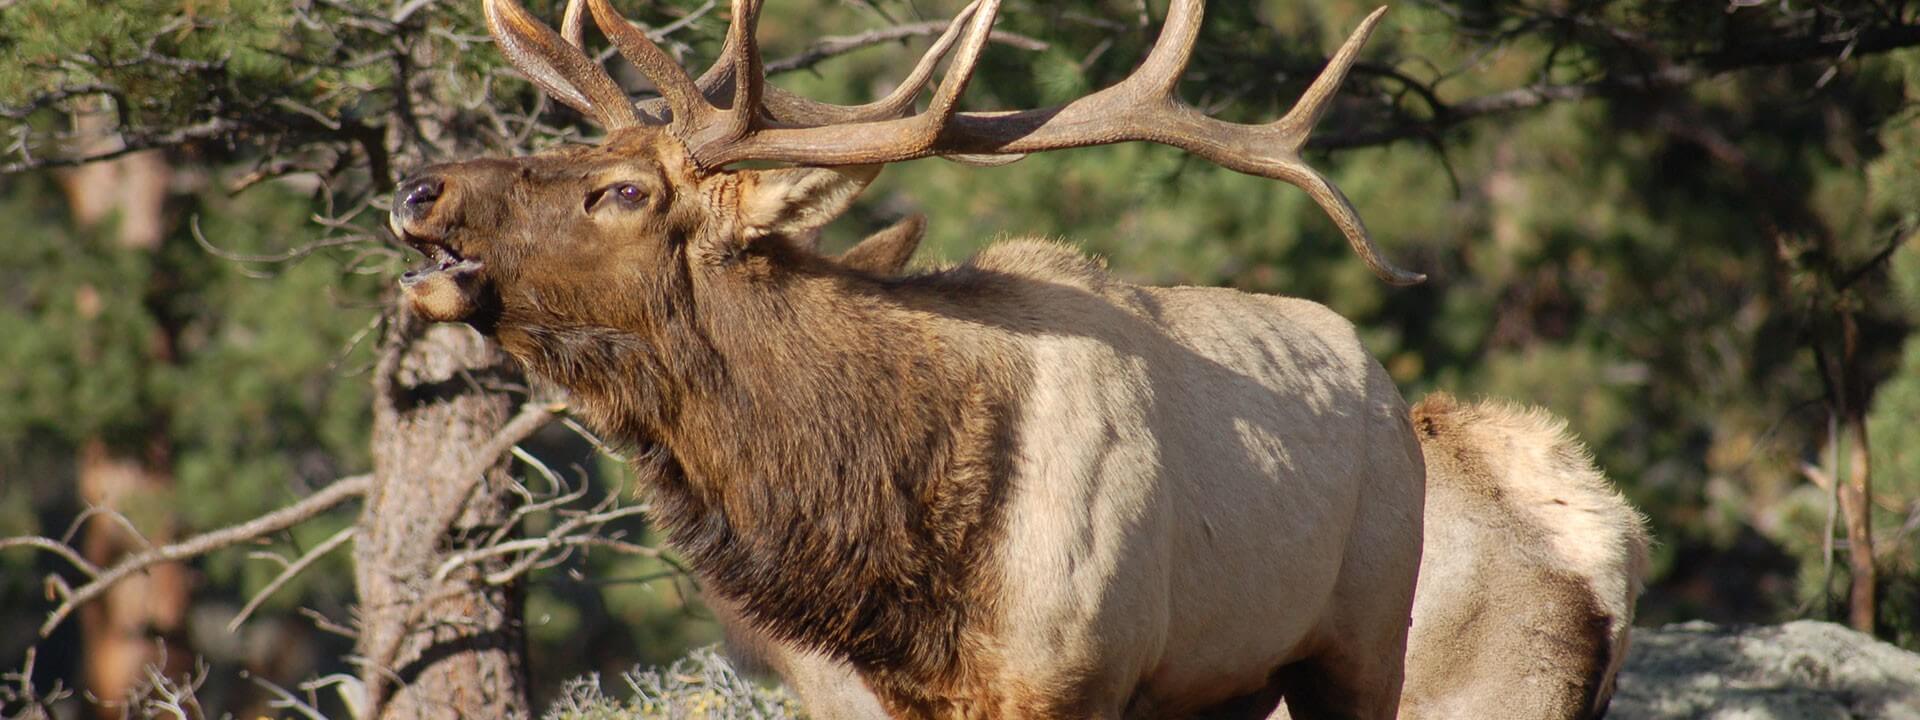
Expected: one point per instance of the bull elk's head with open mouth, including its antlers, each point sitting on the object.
(610, 235)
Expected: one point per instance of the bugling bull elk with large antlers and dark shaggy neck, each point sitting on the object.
(1011, 489)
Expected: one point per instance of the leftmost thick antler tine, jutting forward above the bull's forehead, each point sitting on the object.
(558, 68)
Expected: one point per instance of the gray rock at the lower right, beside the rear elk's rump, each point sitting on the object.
(1798, 671)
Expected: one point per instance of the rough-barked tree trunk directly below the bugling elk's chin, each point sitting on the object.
(439, 648)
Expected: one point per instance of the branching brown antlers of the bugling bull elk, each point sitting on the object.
(771, 124)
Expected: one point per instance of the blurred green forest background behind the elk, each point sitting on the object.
(1687, 228)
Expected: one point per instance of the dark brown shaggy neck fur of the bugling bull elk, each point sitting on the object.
(828, 450)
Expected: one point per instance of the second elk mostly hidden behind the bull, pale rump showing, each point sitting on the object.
(1531, 565)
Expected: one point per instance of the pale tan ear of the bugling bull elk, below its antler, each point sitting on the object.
(798, 201)
